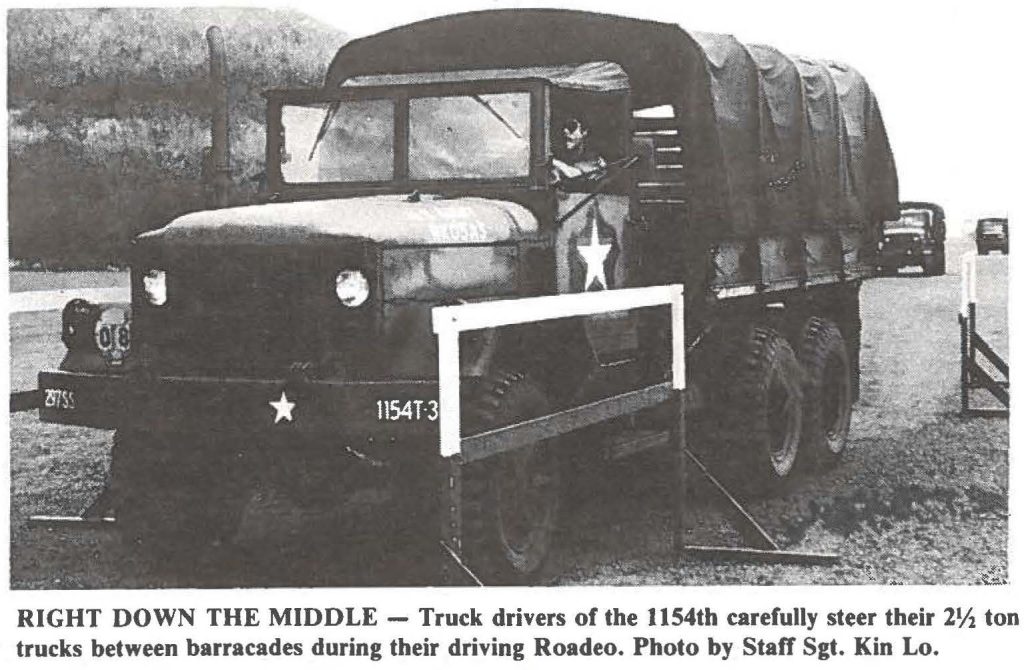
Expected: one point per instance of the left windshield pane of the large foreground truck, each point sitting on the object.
(352, 141)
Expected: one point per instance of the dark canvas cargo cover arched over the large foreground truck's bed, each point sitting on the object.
(745, 122)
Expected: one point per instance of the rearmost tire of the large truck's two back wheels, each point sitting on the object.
(828, 393)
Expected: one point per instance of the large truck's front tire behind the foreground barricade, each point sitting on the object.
(511, 501)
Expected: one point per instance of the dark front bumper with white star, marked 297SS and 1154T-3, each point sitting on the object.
(266, 409)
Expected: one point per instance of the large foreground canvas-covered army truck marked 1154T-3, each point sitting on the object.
(290, 343)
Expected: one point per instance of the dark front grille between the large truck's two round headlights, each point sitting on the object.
(252, 315)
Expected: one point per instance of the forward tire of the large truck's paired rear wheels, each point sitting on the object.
(765, 412)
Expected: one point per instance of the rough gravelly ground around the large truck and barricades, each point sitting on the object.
(920, 498)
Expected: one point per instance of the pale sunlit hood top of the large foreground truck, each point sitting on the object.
(387, 220)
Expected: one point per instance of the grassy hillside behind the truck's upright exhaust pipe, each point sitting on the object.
(110, 118)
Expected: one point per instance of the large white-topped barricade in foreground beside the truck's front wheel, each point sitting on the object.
(458, 451)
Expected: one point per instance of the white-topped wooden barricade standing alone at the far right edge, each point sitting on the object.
(973, 375)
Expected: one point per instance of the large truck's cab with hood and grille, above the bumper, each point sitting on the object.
(410, 192)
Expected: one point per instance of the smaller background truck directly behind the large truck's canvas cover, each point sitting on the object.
(917, 238)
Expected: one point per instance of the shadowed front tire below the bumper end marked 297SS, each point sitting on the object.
(173, 498)
